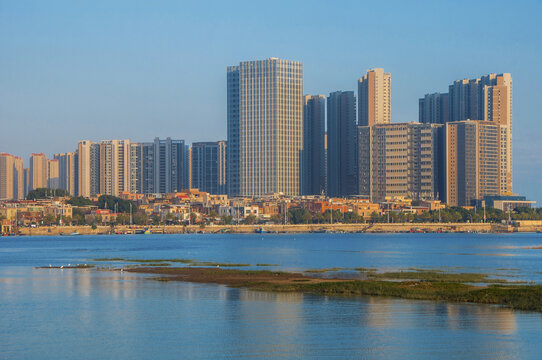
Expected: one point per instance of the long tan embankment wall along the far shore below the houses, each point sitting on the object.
(309, 228)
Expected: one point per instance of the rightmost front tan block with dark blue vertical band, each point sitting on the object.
(472, 161)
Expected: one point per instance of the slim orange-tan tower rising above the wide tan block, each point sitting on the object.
(374, 98)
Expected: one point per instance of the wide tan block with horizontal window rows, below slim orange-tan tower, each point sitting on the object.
(400, 159)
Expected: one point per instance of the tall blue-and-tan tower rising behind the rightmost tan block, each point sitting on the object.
(487, 98)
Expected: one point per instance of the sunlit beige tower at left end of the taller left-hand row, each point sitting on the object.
(88, 168)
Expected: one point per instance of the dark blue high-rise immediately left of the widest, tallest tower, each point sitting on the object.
(209, 166)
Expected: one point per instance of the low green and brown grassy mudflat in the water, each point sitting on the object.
(420, 285)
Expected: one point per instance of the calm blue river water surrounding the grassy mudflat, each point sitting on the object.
(67, 314)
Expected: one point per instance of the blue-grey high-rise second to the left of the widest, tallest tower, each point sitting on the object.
(170, 165)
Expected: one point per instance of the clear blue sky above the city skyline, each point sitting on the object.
(72, 70)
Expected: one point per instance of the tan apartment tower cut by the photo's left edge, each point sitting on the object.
(11, 177)
